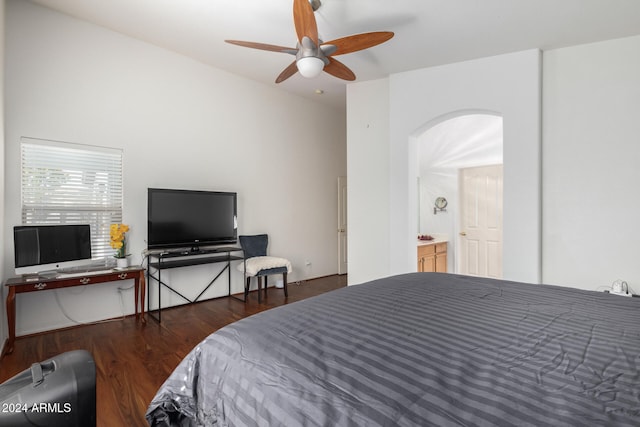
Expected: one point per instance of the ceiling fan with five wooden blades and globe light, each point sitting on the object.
(312, 54)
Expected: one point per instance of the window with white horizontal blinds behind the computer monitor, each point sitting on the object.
(65, 183)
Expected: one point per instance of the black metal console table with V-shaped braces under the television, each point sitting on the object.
(177, 259)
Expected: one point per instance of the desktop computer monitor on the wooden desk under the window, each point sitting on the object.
(45, 248)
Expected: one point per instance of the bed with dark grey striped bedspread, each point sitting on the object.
(414, 350)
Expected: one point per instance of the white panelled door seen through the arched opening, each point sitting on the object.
(481, 221)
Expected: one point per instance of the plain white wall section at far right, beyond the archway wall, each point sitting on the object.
(591, 158)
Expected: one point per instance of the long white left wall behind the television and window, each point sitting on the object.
(181, 124)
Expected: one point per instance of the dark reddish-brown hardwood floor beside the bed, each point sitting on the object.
(134, 358)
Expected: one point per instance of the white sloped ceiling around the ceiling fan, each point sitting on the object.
(427, 32)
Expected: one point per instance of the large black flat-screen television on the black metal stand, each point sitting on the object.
(190, 218)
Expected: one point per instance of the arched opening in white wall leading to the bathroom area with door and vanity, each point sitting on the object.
(448, 150)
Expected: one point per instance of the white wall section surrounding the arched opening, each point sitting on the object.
(508, 85)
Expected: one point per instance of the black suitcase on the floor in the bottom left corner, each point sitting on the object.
(60, 391)
